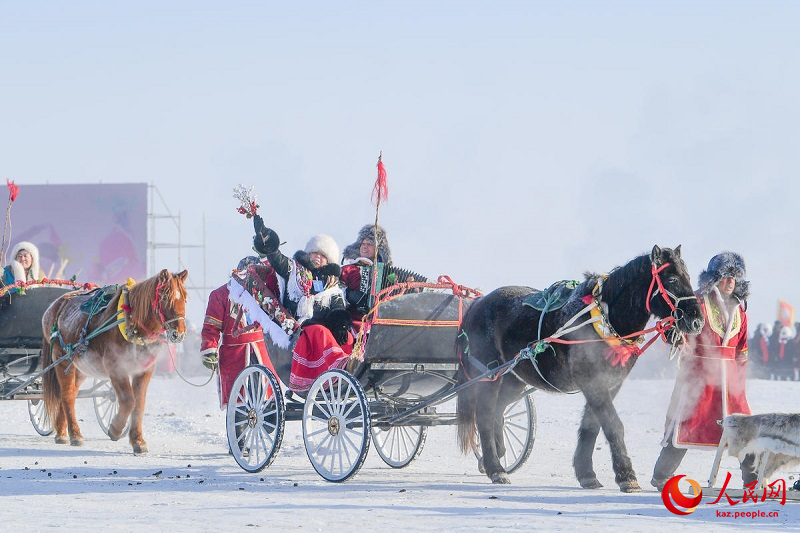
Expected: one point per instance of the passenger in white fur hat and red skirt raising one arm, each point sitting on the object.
(308, 287)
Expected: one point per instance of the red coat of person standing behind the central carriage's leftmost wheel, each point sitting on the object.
(234, 352)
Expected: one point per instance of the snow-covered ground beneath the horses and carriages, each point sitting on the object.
(189, 483)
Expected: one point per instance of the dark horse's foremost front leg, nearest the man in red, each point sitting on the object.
(600, 400)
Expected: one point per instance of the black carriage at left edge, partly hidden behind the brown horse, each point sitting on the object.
(21, 310)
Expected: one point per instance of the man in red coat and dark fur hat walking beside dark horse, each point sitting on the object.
(711, 379)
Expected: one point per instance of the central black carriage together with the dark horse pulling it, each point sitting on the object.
(425, 348)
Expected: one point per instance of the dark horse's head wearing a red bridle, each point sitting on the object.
(671, 292)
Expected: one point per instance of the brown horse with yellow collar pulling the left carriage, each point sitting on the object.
(112, 341)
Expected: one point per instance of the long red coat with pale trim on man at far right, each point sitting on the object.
(711, 380)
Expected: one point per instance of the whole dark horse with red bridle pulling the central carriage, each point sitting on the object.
(502, 324)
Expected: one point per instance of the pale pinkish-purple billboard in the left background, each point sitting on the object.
(99, 230)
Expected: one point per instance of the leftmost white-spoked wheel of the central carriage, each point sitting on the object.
(255, 418)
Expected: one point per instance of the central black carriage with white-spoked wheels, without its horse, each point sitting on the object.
(399, 390)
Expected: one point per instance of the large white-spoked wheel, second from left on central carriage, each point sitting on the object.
(336, 425)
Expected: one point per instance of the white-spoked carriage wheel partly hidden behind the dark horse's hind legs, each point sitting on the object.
(519, 432)
